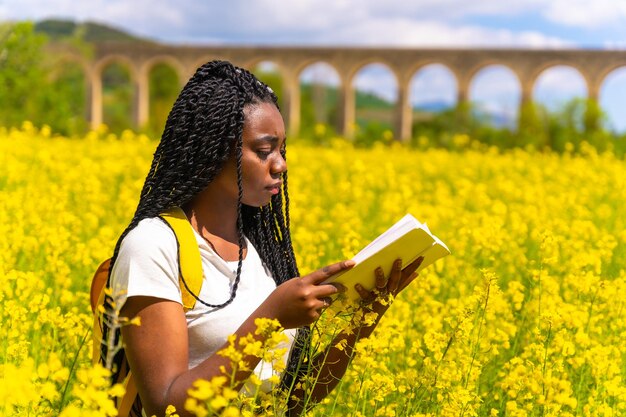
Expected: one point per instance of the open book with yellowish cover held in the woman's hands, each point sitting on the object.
(407, 239)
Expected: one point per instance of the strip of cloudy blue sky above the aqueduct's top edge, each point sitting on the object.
(524, 23)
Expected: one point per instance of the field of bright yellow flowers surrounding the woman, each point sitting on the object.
(527, 317)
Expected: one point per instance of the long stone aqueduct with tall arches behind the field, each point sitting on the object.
(527, 65)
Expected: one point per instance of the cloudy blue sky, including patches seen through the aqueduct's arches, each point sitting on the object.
(539, 24)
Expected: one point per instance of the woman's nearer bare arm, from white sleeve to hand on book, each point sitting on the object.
(157, 350)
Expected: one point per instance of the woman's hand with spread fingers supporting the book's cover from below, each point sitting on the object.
(390, 285)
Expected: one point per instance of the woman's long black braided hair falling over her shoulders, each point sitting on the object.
(203, 129)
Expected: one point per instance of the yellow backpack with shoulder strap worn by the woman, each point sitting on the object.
(190, 280)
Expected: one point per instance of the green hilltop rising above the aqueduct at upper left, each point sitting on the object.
(89, 31)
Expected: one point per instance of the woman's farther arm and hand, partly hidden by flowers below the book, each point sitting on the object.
(331, 365)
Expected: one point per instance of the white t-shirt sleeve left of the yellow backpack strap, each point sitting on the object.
(147, 263)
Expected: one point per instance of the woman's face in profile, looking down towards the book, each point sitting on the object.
(261, 162)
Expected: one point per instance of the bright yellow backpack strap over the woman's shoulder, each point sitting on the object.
(190, 273)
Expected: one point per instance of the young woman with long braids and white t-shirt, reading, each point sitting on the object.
(222, 160)
